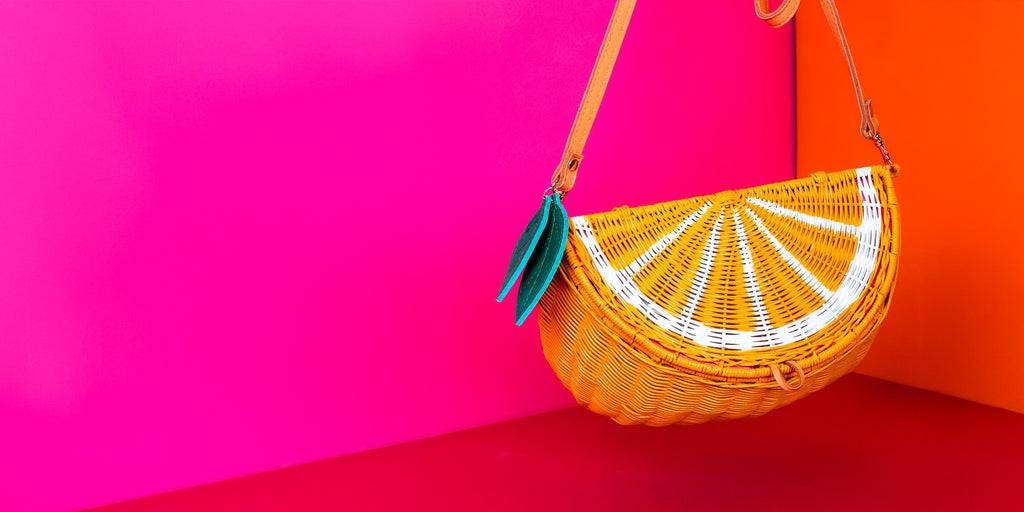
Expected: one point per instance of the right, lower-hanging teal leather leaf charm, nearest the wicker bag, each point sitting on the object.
(543, 265)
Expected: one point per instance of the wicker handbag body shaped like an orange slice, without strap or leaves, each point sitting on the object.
(676, 313)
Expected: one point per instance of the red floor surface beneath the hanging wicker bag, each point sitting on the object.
(860, 445)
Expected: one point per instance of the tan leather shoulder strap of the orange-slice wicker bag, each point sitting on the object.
(565, 177)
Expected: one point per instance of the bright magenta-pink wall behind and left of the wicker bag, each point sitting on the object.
(244, 236)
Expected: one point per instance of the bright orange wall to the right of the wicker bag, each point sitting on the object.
(949, 88)
